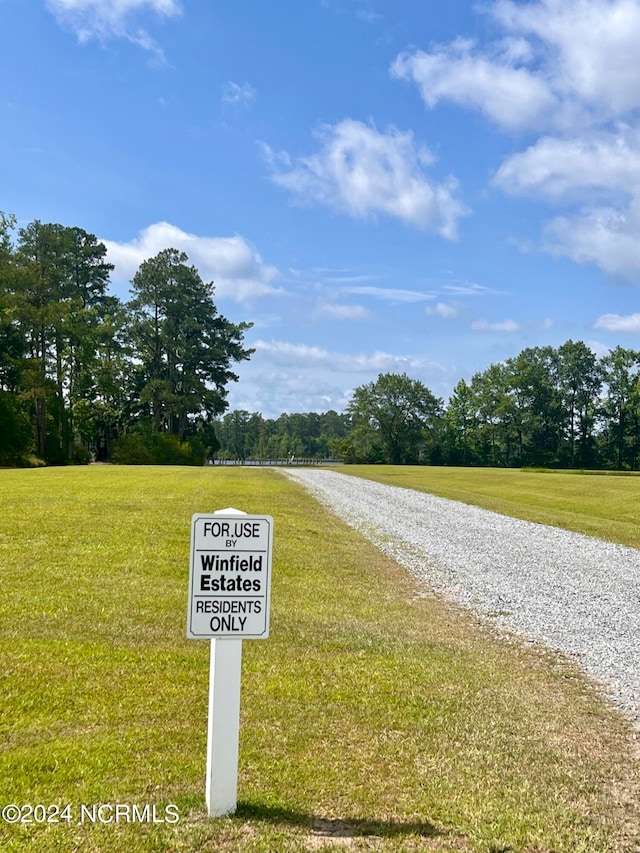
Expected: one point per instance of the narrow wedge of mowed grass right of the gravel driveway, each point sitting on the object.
(599, 504)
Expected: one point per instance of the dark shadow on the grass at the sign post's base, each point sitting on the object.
(335, 828)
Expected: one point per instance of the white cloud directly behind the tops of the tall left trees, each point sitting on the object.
(232, 263)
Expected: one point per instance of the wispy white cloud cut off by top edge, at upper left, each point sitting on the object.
(105, 19)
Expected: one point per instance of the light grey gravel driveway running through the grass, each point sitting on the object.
(574, 593)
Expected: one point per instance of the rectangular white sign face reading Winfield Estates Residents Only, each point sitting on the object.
(230, 576)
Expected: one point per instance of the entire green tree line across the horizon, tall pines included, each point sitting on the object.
(84, 375)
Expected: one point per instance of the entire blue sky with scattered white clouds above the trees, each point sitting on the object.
(378, 185)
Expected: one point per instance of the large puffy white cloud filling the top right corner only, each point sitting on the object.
(561, 64)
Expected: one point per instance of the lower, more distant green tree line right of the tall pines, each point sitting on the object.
(546, 407)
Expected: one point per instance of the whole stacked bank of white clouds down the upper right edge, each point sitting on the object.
(569, 73)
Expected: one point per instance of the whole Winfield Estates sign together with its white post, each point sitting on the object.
(229, 599)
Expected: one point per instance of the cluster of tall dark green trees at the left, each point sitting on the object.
(85, 375)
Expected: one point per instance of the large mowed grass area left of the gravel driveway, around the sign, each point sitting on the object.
(374, 718)
